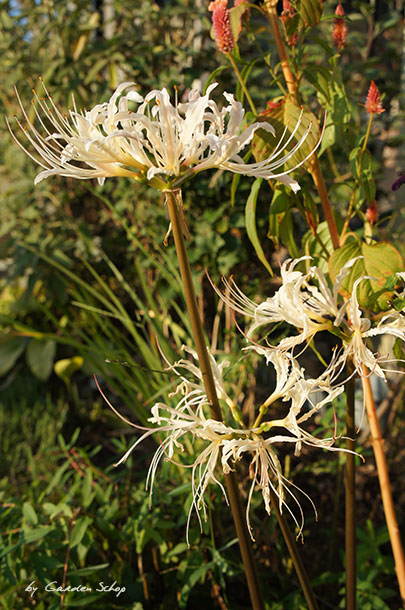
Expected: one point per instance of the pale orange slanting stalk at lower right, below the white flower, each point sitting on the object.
(385, 486)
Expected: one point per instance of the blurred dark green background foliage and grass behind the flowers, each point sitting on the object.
(88, 287)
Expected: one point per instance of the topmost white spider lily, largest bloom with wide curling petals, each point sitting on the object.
(150, 138)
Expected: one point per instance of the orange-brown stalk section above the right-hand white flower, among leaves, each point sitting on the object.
(315, 169)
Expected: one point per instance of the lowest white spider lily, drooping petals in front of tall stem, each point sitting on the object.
(223, 444)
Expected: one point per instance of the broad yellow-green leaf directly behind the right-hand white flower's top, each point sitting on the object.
(379, 261)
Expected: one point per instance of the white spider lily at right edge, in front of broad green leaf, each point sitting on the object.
(307, 303)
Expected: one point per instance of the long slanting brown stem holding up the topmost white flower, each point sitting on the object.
(173, 198)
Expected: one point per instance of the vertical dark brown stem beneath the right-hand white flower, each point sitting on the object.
(350, 486)
